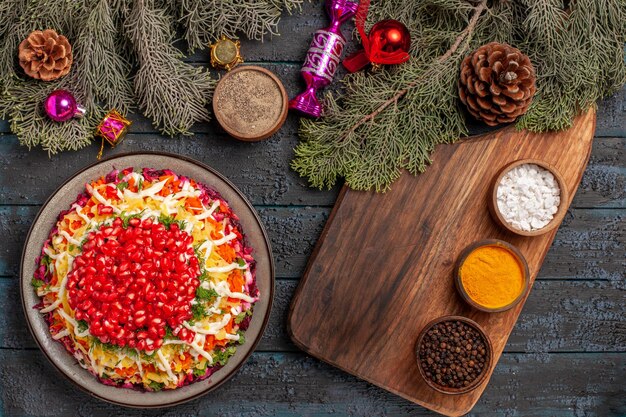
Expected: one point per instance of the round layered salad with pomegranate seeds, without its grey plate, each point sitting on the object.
(147, 280)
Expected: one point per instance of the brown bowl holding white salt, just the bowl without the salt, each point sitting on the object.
(558, 216)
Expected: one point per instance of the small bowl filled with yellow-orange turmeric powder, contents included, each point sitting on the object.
(492, 275)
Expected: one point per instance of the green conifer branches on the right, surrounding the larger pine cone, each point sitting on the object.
(391, 120)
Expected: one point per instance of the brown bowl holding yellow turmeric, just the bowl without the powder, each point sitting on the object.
(491, 242)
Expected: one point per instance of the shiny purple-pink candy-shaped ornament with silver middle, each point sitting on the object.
(323, 57)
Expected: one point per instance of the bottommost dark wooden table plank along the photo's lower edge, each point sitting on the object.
(292, 384)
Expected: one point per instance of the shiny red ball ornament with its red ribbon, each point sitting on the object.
(387, 43)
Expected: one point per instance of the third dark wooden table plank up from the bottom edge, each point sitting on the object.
(586, 246)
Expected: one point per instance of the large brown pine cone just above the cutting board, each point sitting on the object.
(497, 83)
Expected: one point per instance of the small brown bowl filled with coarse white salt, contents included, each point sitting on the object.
(528, 197)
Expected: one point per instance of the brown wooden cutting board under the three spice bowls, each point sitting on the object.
(383, 266)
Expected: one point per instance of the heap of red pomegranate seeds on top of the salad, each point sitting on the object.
(120, 285)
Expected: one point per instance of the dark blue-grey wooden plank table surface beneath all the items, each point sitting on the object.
(566, 356)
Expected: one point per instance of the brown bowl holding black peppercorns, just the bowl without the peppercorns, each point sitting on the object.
(477, 381)
